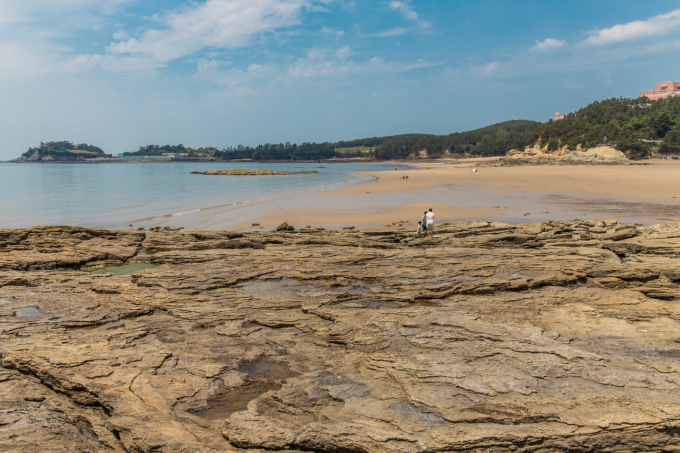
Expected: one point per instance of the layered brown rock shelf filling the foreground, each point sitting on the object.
(490, 337)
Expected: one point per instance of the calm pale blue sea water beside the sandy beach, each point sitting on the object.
(114, 195)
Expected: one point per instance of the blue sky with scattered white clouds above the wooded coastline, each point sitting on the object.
(121, 74)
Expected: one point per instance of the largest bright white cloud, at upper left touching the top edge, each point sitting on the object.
(215, 23)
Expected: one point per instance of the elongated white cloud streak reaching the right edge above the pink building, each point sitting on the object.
(635, 30)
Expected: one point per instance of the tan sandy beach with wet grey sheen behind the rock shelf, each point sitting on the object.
(646, 193)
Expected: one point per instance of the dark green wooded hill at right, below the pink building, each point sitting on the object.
(638, 127)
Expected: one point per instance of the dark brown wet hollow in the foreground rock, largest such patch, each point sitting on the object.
(264, 375)
